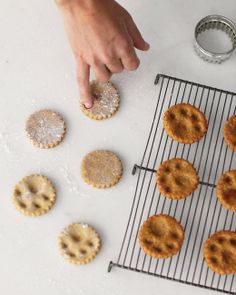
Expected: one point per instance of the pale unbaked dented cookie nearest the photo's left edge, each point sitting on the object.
(34, 195)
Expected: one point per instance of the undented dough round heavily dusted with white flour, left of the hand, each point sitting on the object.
(45, 128)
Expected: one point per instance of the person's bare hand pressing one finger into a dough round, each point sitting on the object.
(103, 37)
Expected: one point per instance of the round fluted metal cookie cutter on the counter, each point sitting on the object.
(215, 22)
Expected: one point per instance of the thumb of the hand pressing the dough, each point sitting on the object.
(136, 36)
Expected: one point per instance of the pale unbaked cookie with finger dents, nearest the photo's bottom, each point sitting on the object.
(79, 243)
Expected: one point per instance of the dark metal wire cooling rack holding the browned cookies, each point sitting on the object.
(200, 214)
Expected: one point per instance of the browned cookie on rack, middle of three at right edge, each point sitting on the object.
(226, 190)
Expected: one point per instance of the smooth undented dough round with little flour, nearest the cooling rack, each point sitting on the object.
(101, 169)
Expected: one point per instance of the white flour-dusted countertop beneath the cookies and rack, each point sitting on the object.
(37, 71)
